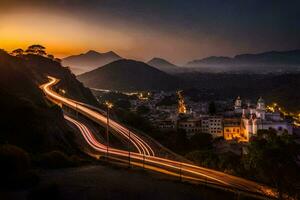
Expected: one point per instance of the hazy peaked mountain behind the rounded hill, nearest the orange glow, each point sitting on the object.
(88, 61)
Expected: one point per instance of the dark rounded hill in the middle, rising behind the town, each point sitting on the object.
(128, 75)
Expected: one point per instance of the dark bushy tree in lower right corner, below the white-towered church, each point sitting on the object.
(273, 159)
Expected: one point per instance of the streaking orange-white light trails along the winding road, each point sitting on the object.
(145, 156)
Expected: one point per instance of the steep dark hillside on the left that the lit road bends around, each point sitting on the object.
(27, 118)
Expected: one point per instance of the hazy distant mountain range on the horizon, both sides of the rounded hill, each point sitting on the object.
(267, 62)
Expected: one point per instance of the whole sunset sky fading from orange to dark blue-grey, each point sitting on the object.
(176, 30)
